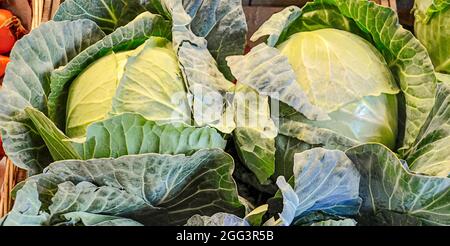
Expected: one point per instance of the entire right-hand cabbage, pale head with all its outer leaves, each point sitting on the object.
(362, 122)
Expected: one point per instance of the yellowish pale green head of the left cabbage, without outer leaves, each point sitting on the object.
(92, 93)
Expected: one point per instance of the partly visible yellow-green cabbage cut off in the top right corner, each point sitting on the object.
(432, 19)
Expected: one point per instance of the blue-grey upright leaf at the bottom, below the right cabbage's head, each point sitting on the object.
(325, 180)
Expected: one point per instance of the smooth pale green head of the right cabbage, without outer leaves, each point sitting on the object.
(345, 75)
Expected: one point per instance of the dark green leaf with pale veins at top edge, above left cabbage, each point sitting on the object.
(108, 14)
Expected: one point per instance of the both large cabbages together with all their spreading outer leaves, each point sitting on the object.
(125, 114)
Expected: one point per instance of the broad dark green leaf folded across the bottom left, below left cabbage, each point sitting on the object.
(151, 189)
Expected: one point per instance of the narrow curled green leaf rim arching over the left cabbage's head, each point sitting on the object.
(128, 37)
